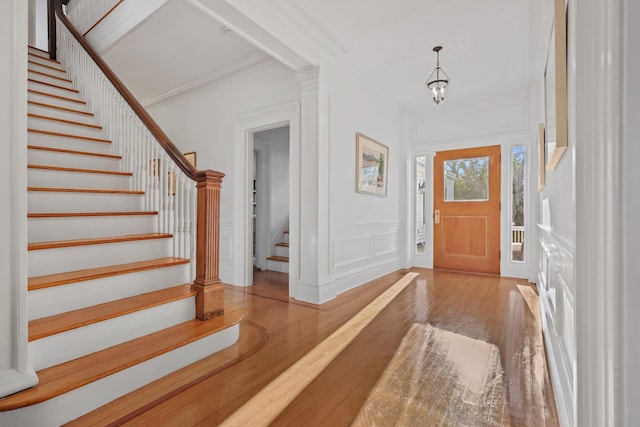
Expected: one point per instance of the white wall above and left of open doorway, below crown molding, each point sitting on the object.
(204, 121)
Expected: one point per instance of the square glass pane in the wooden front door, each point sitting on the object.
(466, 179)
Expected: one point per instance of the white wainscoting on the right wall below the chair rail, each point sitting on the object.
(556, 287)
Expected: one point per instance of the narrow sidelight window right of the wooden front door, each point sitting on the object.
(517, 202)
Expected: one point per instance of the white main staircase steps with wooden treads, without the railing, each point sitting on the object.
(110, 309)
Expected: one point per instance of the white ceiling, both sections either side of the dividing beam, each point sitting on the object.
(486, 43)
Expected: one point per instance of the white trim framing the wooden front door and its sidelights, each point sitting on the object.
(506, 141)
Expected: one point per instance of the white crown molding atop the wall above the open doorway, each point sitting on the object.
(216, 76)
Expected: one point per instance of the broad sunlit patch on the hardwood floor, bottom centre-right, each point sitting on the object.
(444, 379)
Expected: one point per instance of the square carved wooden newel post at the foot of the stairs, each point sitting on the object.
(210, 297)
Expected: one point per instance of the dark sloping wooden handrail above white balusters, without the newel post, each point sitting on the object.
(153, 127)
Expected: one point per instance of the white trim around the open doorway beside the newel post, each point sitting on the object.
(245, 127)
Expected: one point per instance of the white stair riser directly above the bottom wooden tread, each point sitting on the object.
(69, 345)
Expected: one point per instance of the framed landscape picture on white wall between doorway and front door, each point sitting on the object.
(372, 163)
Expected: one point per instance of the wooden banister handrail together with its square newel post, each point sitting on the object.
(209, 288)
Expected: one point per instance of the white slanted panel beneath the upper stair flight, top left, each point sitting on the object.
(123, 19)
